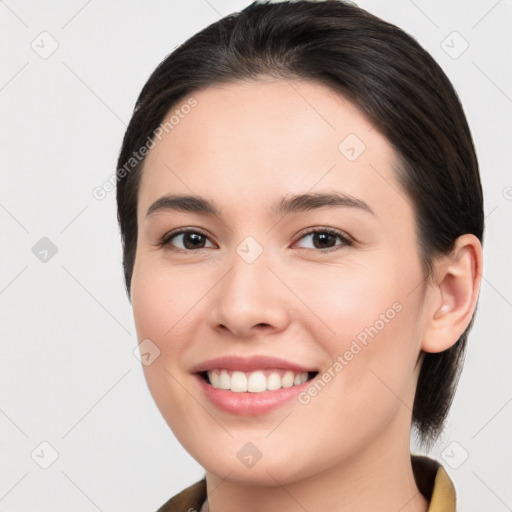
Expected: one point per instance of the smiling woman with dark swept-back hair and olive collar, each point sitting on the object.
(301, 214)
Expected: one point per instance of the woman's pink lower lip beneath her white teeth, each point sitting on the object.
(250, 404)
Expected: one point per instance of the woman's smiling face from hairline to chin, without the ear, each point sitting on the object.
(265, 288)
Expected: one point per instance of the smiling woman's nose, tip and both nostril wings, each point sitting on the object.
(249, 300)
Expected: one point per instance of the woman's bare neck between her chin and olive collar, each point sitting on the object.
(378, 478)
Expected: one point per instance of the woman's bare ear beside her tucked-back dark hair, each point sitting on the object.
(453, 294)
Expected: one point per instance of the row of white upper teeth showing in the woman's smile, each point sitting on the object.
(255, 382)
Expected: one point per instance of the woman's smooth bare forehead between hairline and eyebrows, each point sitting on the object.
(247, 141)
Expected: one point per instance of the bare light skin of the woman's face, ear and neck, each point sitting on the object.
(245, 146)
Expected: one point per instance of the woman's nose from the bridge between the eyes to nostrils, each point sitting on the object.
(249, 295)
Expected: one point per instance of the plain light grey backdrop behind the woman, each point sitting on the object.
(68, 376)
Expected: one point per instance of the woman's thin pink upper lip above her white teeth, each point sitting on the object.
(247, 364)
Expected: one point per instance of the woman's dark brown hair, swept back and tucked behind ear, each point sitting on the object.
(383, 71)
